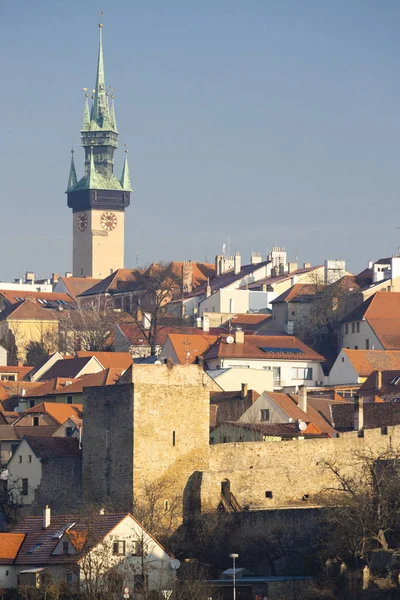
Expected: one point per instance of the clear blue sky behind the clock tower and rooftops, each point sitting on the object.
(273, 123)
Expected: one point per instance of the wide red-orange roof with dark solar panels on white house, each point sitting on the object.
(263, 347)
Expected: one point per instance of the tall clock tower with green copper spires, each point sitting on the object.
(99, 199)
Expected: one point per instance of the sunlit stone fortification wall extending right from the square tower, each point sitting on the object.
(281, 474)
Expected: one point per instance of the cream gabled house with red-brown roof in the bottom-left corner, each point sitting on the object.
(78, 551)
